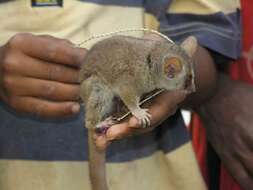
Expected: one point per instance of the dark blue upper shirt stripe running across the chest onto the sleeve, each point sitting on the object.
(219, 32)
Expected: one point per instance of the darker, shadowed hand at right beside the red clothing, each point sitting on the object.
(229, 123)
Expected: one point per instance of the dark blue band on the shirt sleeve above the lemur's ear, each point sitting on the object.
(219, 32)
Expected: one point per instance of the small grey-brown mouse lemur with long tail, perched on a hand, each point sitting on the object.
(128, 67)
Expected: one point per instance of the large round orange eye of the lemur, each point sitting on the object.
(172, 66)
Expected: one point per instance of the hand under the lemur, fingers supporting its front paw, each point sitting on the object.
(160, 108)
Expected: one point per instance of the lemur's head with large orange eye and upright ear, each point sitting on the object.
(174, 64)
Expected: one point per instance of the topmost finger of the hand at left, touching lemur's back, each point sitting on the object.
(49, 48)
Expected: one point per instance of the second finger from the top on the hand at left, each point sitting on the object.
(43, 70)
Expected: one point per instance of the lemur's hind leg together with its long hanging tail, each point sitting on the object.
(98, 101)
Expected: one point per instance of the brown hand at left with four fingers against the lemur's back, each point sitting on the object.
(39, 75)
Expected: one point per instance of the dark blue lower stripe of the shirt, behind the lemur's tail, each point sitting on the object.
(29, 138)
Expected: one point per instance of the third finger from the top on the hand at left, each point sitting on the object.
(51, 90)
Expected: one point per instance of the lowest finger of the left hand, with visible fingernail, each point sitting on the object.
(44, 108)
